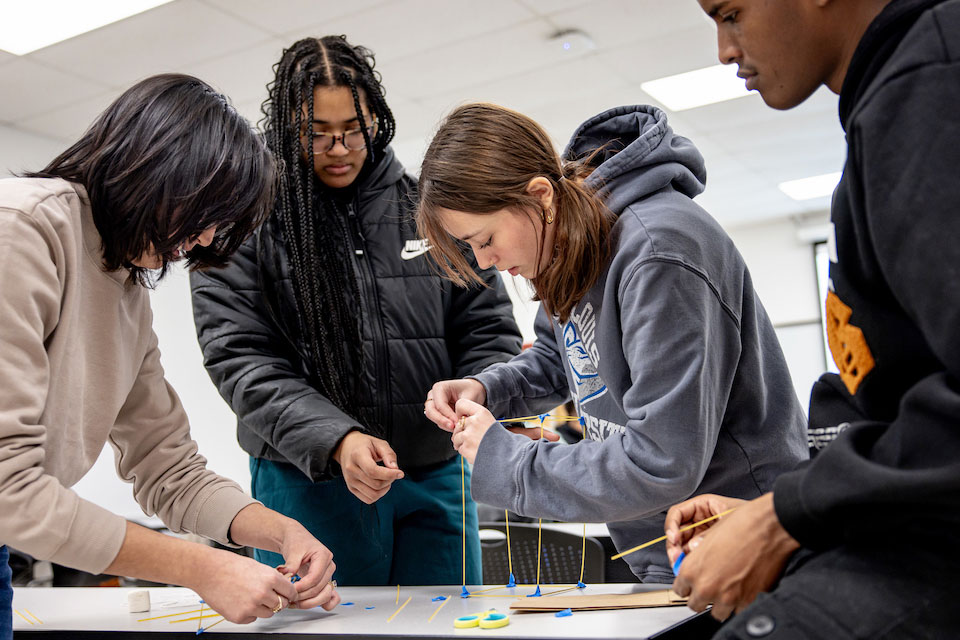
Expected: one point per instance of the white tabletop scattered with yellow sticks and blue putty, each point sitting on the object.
(79, 612)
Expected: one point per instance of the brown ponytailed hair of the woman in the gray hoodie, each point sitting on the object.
(480, 161)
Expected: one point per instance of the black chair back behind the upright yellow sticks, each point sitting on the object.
(559, 557)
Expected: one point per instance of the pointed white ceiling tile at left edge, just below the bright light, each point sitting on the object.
(31, 89)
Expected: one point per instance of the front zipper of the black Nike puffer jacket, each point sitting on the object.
(368, 284)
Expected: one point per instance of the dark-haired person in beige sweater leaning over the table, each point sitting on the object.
(169, 171)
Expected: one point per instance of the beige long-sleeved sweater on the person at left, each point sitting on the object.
(79, 367)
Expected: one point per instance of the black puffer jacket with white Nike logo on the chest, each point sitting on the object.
(418, 328)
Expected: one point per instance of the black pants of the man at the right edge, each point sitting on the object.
(876, 594)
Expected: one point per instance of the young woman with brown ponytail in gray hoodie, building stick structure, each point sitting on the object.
(649, 321)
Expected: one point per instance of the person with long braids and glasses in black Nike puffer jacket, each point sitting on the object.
(329, 326)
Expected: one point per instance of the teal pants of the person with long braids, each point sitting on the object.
(410, 536)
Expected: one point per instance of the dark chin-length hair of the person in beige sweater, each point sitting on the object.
(167, 160)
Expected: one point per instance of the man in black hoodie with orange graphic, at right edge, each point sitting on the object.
(860, 542)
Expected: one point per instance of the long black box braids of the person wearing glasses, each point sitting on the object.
(312, 221)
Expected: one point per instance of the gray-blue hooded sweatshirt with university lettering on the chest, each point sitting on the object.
(670, 357)
